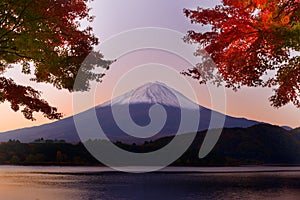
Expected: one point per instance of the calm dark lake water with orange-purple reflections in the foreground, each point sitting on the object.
(95, 183)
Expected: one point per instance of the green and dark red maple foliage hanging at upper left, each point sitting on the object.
(46, 34)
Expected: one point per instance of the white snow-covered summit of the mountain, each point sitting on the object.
(154, 93)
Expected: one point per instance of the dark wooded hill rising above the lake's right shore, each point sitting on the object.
(258, 144)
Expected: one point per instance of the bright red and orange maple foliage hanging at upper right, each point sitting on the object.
(252, 43)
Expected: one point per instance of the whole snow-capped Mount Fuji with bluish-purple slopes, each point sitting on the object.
(140, 104)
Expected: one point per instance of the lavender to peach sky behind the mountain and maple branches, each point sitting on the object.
(112, 19)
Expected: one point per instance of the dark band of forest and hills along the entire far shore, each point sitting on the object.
(258, 145)
